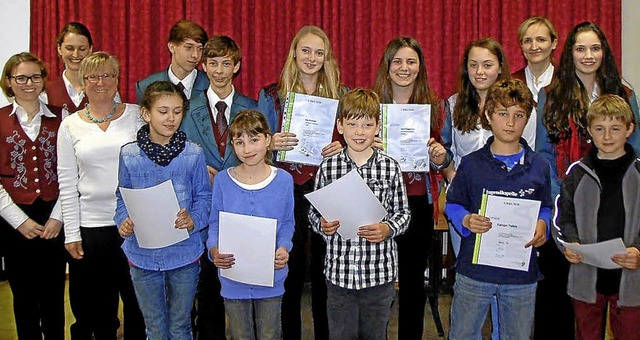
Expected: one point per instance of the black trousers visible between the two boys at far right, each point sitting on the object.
(553, 304)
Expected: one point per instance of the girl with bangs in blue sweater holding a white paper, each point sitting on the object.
(255, 188)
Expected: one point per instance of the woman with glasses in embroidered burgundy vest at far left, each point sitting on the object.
(31, 218)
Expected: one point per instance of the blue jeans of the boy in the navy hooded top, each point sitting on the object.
(471, 301)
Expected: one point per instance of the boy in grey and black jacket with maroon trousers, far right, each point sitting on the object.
(599, 202)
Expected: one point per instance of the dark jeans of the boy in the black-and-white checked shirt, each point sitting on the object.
(359, 314)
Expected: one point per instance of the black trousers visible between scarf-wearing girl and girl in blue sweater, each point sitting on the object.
(210, 317)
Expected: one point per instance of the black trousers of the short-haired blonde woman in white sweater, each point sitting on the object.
(96, 282)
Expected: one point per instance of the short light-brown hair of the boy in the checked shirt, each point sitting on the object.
(359, 103)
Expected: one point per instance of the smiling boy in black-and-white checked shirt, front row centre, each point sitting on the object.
(360, 273)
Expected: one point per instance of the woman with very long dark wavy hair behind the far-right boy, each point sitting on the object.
(586, 71)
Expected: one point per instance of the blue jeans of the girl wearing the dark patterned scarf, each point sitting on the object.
(165, 299)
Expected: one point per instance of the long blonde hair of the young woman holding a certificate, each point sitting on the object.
(328, 84)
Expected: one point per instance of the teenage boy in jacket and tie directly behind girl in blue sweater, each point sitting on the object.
(207, 124)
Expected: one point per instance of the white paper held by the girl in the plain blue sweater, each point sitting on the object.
(252, 241)
